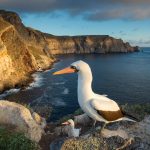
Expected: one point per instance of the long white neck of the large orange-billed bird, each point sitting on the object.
(85, 85)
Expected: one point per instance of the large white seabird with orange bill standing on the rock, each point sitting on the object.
(96, 106)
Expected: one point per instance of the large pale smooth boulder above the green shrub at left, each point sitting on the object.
(18, 116)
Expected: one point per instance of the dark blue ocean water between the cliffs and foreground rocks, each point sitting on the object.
(125, 78)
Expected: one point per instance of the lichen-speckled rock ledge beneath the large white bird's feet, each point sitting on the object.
(119, 136)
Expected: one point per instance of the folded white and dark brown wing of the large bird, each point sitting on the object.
(109, 110)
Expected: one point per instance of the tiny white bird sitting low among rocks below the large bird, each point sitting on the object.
(71, 130)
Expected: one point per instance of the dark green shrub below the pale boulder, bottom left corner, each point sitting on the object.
(15, 141)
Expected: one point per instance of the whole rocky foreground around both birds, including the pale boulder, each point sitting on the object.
(120, 135)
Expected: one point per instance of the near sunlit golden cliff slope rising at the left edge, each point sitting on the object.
(22, 51)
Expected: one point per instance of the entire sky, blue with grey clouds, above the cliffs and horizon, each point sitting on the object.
(125, 19)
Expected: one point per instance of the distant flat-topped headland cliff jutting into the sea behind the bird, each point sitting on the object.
(87, 44)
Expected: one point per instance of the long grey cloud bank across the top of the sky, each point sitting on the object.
(97, 10)
